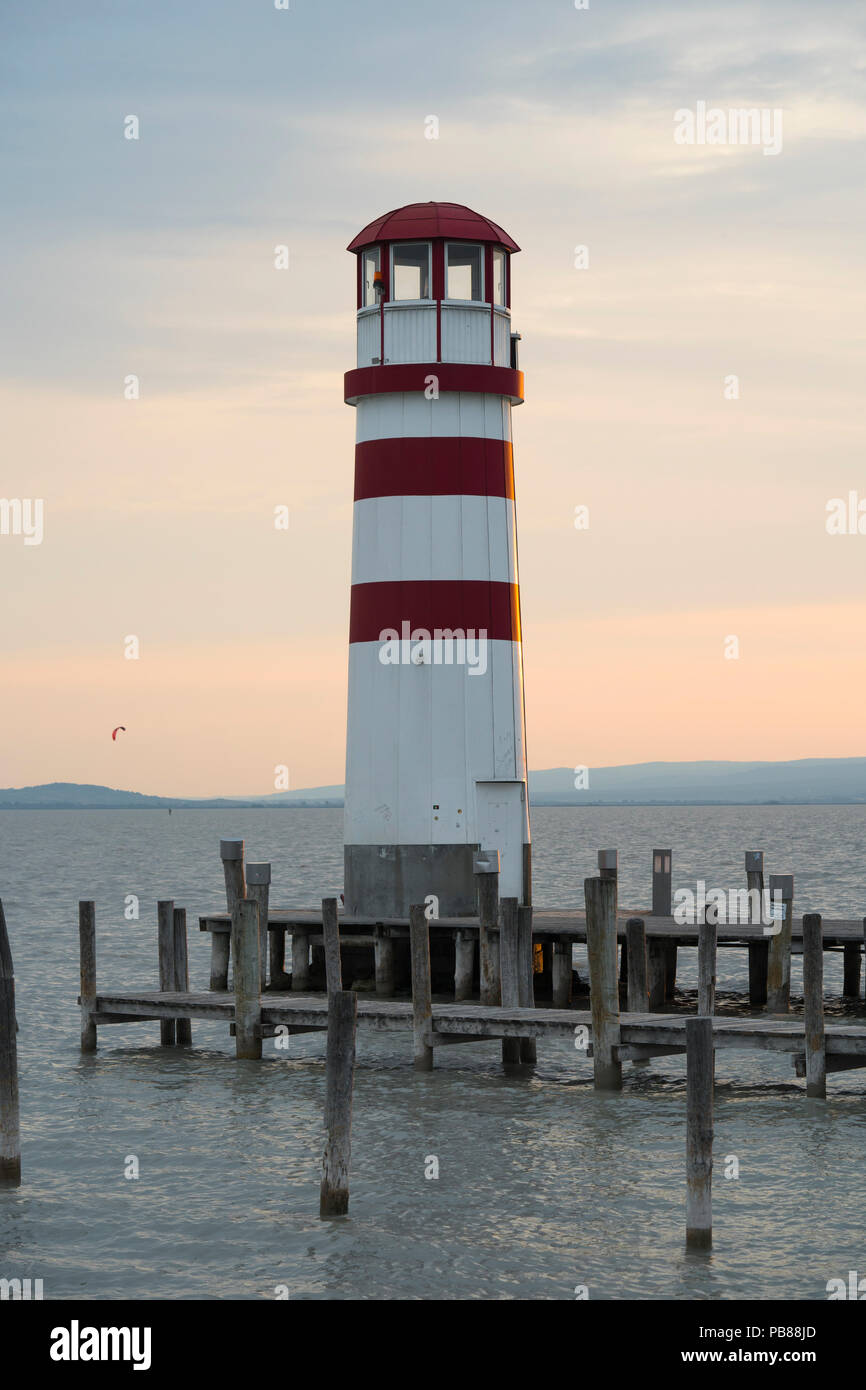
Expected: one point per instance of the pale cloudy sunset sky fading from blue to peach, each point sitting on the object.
(155, 258)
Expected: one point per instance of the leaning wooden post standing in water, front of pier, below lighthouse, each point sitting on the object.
(340, 1082)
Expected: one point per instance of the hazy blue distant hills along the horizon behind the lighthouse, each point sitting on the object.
(807, 780)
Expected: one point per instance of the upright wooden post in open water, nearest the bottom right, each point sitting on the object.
(698, 1134)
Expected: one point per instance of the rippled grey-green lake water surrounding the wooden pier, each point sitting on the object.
(543, 1184)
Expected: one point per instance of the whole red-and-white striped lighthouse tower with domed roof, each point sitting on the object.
(436, 755)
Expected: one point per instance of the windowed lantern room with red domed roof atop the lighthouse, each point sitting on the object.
(434, 284)
